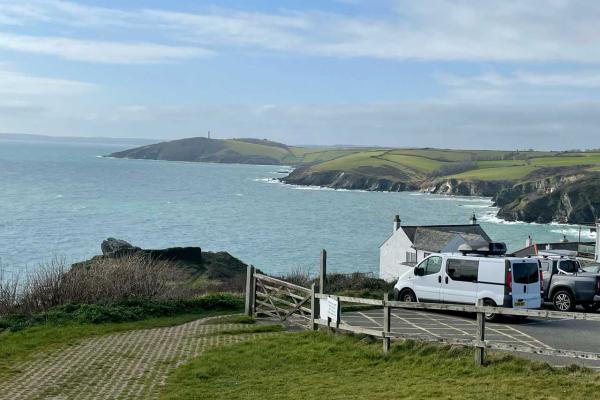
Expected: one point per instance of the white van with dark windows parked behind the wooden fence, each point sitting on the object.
(450, 278)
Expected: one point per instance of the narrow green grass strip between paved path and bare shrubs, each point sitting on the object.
(22, 345)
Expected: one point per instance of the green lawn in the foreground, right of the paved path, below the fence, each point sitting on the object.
(317, 365)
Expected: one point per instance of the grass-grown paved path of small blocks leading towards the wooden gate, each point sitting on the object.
(124, 365)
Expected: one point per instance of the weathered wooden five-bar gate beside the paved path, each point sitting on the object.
(274, 298)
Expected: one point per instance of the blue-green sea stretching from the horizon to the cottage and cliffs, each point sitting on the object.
(61, 199)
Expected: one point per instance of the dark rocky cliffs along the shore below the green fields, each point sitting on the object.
(568, 195)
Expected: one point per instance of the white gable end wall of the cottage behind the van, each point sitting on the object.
(392, 256)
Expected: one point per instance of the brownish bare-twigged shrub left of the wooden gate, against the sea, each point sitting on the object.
(102, 280)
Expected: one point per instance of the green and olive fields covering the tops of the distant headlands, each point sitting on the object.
(408, 165)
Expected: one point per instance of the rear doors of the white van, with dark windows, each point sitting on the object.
(526, 290)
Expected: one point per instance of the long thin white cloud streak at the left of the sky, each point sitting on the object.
(99, 51)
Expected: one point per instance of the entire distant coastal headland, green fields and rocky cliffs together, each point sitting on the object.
(519, 181)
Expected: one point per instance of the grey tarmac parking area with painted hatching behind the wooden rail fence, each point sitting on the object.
(544, 333)
